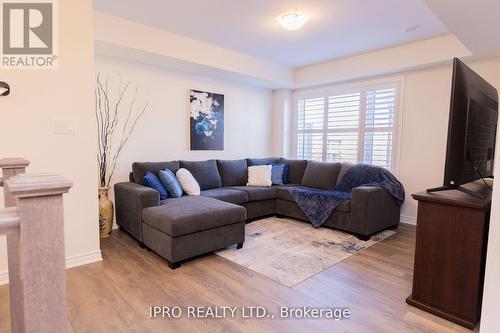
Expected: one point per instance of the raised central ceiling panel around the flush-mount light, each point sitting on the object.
(336, 28)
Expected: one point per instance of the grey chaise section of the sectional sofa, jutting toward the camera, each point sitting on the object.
(182, 228)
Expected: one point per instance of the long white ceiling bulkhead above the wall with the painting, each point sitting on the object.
(174, 51)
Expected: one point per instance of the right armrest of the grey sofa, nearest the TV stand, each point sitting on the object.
(373, 209)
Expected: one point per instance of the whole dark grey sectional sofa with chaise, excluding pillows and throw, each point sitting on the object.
(181, 228)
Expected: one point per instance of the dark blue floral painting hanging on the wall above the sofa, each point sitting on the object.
(206, 120)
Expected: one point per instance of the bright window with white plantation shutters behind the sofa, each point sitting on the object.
(358, 126)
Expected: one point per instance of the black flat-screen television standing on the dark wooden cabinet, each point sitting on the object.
(472, 129)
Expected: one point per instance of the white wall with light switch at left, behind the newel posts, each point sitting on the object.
(38, 96)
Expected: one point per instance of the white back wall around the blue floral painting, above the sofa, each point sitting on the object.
(163, 133)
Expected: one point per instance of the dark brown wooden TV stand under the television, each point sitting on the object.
(450, 253)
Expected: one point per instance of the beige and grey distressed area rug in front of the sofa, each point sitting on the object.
(290, 251)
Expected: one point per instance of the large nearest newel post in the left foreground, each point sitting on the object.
(36, 257)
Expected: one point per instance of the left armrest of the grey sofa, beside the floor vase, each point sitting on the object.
(130, 200)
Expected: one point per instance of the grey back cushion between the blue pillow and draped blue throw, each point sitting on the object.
(321, 175)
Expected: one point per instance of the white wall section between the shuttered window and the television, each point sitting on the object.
(423, 133)
